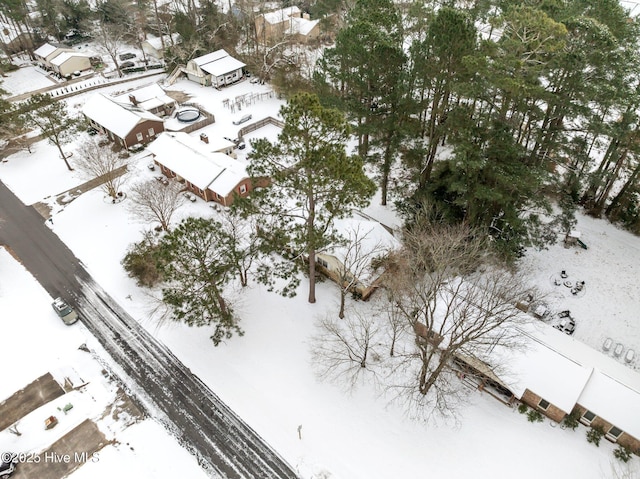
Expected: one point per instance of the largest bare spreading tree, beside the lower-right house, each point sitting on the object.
(452, 310)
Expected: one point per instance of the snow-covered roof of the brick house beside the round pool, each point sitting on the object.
(116, 117)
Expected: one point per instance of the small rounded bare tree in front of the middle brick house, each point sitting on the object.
(152, 201)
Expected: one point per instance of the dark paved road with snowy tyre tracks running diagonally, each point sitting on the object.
(226, 446)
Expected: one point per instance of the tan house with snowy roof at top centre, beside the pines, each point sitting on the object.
(290, 22)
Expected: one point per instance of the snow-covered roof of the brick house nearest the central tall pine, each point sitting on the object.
(194, 161)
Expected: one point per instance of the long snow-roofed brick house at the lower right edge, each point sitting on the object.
(557, 375)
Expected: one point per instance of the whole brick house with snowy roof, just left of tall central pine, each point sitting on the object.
(211, 175)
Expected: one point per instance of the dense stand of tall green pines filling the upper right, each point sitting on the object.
(492, 111)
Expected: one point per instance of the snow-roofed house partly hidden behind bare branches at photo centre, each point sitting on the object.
(365, 240)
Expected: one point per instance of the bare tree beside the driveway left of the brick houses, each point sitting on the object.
(102, 162)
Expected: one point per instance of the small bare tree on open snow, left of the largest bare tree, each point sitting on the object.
(345, 350)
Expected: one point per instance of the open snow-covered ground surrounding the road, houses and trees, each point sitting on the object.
(266, 376)
